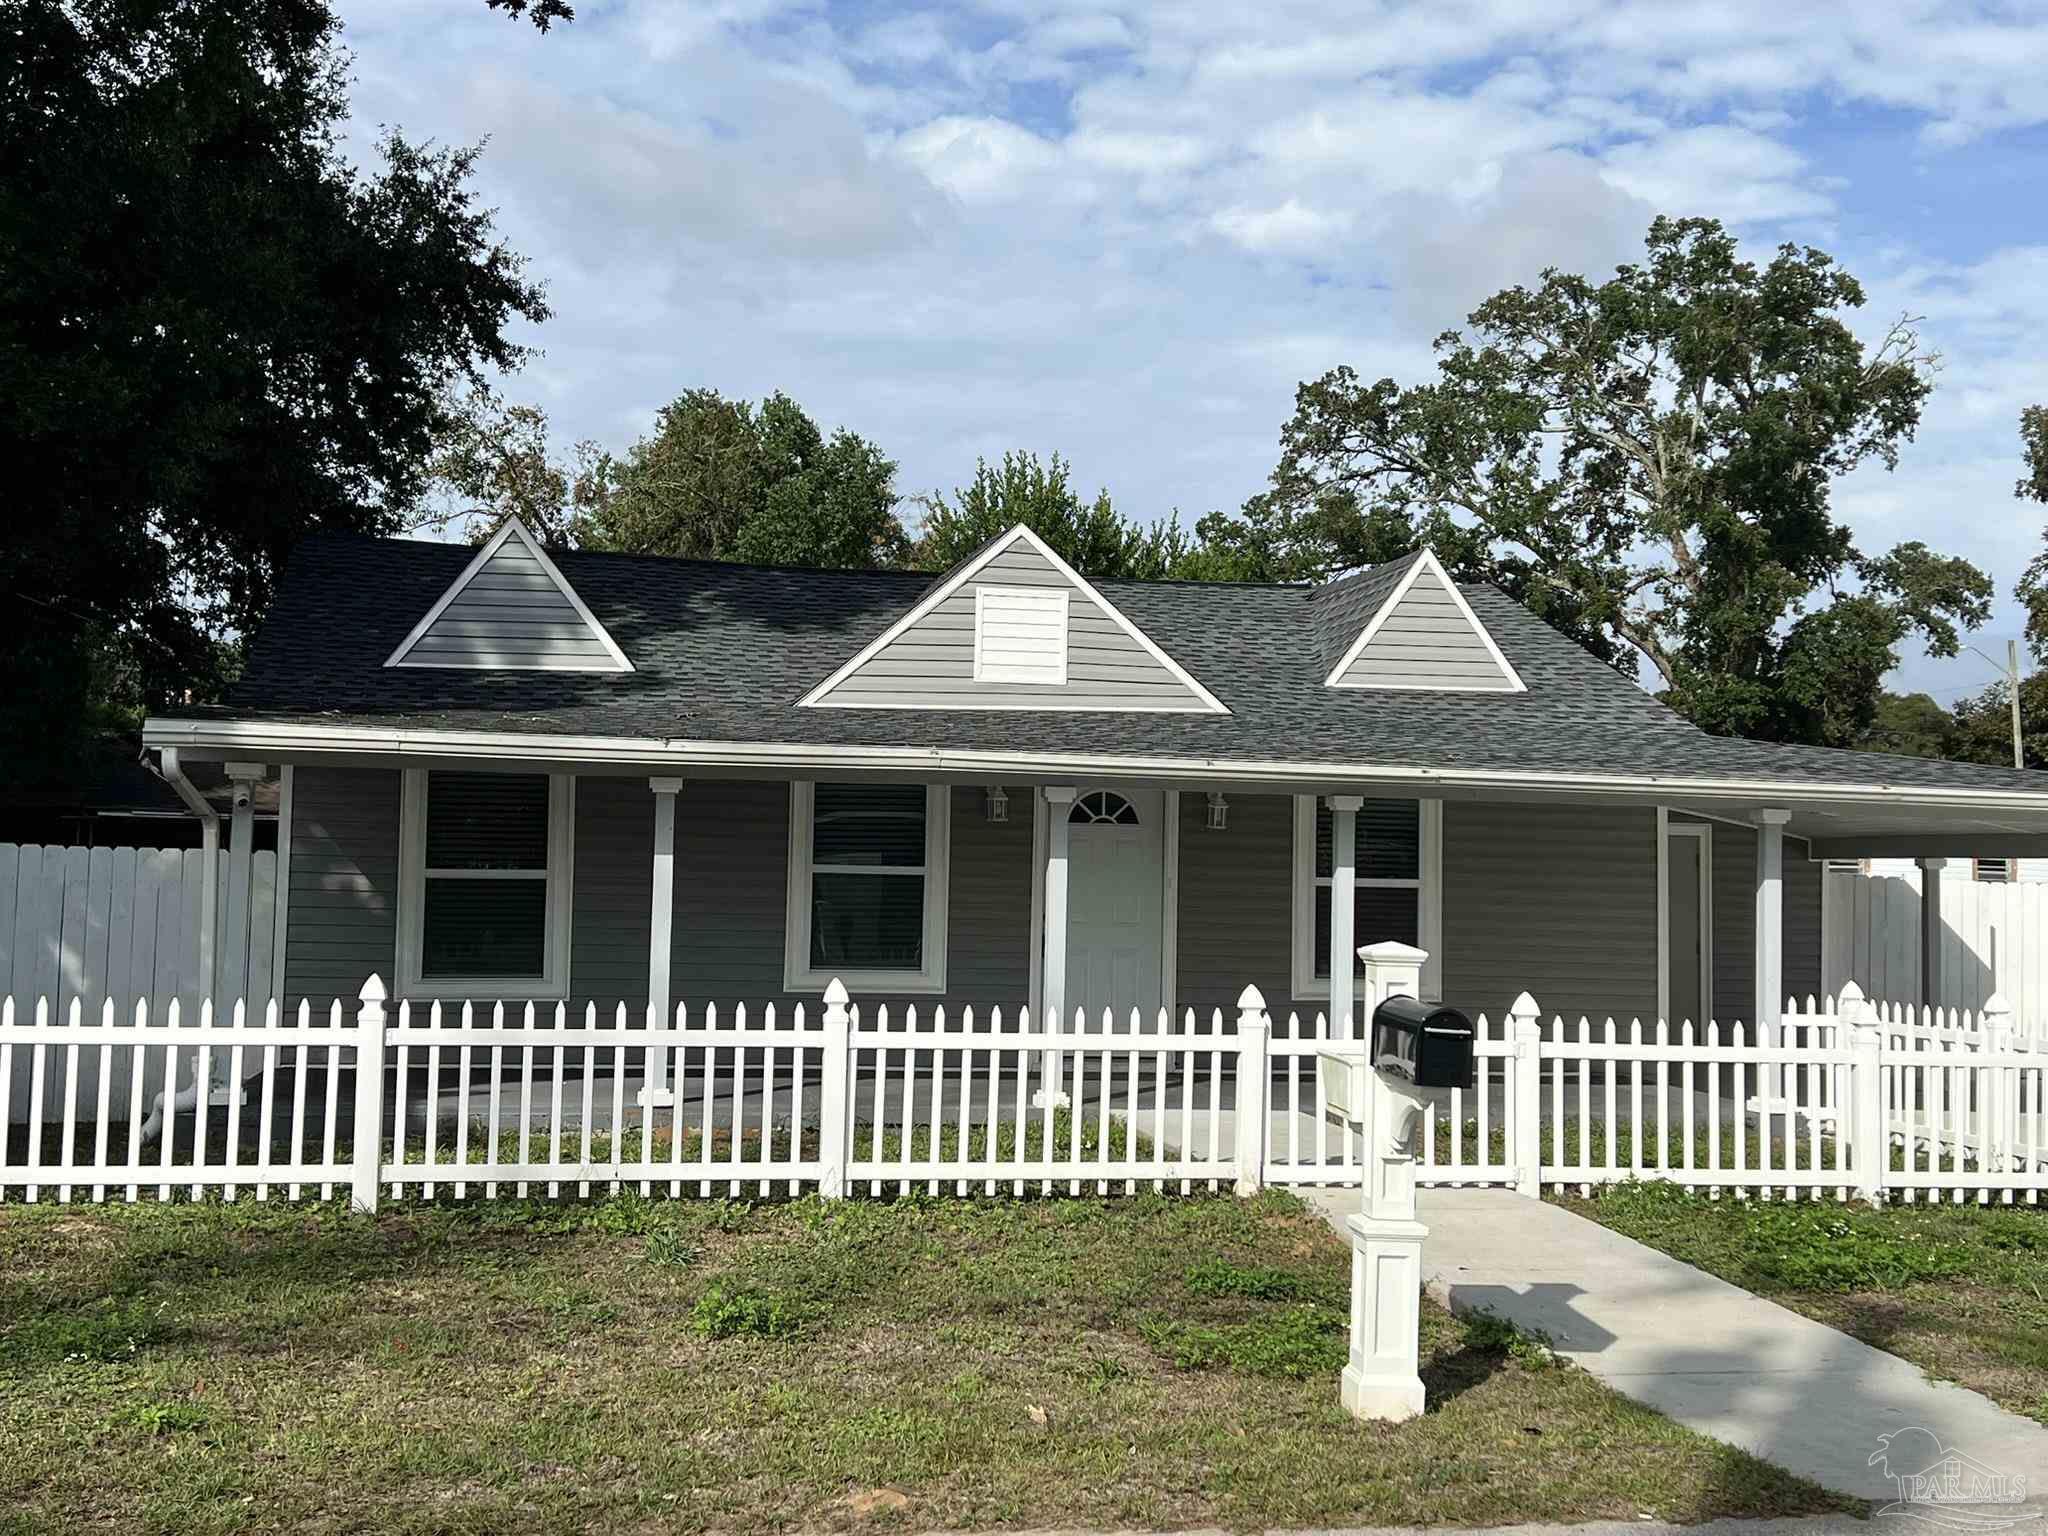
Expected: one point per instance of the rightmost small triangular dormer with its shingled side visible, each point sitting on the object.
(1422, 634)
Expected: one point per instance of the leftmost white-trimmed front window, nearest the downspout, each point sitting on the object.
(484, 892)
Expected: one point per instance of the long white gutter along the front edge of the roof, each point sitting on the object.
(312, 742)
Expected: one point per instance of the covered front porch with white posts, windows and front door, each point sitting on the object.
(482, 882)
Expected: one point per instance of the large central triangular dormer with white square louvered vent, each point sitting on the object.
(1015, 628)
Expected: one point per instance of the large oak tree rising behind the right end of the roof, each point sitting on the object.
(1650, 462)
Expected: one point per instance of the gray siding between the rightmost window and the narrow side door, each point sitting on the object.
(1551, 900)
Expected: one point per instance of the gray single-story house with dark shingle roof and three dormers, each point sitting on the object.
(511, 775)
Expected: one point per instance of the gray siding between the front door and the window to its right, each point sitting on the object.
(1236, 906)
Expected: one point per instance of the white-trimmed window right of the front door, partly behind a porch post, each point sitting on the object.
(1396, 886)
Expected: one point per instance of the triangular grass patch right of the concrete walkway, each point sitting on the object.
(1961, 1291)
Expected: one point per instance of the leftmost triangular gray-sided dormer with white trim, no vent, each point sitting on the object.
(511, 611)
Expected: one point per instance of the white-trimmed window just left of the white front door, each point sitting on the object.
(867, 888)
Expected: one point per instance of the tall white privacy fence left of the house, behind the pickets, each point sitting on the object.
(112, 927)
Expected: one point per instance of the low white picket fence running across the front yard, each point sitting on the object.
(1850, 1101)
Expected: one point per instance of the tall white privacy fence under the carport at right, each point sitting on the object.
(1994, 941)
